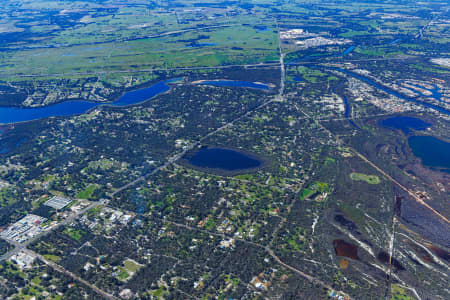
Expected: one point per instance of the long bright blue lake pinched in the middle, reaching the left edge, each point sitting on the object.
(70, 108)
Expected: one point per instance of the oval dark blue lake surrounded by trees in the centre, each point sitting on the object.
(223, 159)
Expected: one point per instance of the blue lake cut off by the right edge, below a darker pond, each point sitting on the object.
(432, 151)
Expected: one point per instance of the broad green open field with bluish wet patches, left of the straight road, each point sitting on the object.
(234, 44)
